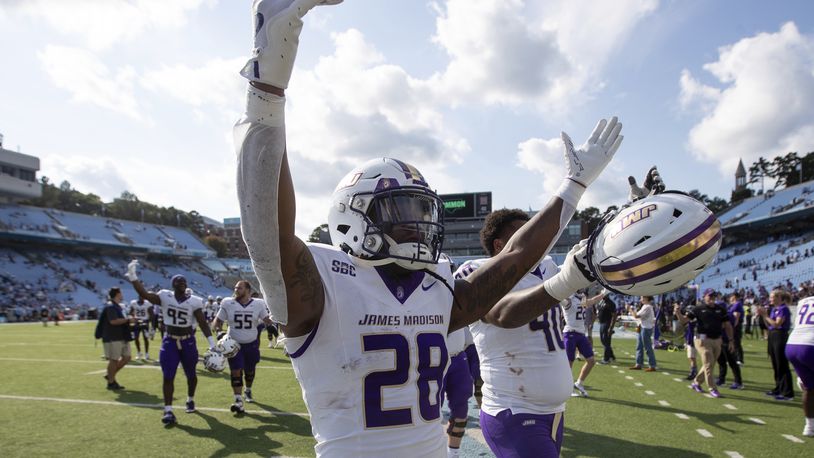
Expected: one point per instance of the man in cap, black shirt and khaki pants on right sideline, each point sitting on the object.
(711, 322)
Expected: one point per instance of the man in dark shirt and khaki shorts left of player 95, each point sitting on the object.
(115, 337)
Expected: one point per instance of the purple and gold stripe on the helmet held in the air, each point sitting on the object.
(666, 258)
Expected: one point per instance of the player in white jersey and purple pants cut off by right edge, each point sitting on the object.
(800, 353)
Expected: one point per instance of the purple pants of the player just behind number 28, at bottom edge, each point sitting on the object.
(523, 435)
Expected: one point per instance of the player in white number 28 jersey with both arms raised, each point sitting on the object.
(366, 320)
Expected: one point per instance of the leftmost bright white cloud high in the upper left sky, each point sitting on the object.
(90, 81)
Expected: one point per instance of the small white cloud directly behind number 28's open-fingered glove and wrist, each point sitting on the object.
(545, 156)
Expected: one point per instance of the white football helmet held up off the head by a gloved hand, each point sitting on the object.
(654, 245)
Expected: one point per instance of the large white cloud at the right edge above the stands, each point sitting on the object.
(765, 103)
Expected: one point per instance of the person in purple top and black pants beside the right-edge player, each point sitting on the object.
(778, 322)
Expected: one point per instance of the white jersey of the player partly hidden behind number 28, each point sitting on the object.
(524, 369)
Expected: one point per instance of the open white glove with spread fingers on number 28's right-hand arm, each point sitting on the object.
(587, 162)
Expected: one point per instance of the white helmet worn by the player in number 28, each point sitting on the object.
(385, 211)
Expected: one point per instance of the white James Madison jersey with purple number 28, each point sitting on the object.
(371, 370)
